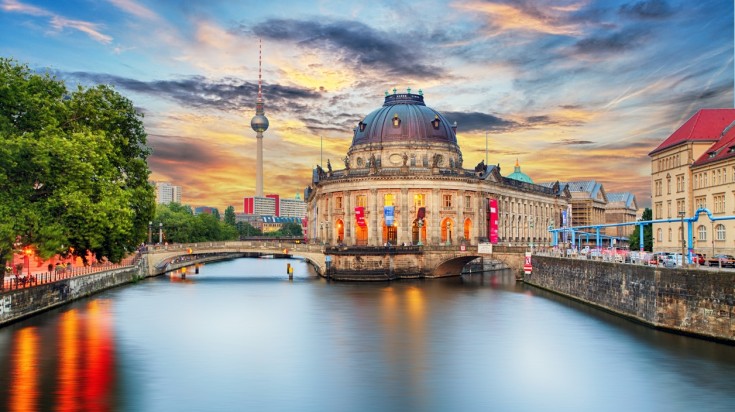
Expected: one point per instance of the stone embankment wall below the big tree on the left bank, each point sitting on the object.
(25, 302)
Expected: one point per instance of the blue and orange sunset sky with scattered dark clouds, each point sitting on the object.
(573, 90)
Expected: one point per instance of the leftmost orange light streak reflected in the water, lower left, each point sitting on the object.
(24, 393)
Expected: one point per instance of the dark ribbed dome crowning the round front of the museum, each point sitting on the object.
(404, 118)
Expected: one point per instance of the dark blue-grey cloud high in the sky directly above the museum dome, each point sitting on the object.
(357, 45)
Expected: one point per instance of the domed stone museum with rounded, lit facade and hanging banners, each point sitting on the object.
(404, 182)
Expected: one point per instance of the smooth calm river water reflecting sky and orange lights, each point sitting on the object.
(241, 336)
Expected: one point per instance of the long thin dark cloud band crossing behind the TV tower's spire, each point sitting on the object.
(200, 92)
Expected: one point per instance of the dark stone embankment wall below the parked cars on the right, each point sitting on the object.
(690, 301)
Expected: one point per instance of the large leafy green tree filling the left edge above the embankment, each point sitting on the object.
(73, 167)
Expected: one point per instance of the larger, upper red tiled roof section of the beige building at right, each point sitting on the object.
(705, 125)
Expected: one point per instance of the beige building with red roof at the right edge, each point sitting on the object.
(695, 168)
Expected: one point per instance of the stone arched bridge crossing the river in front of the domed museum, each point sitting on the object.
(338, 262)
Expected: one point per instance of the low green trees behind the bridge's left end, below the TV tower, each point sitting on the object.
(181, 226)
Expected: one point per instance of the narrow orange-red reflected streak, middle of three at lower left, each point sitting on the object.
(68, 390)
